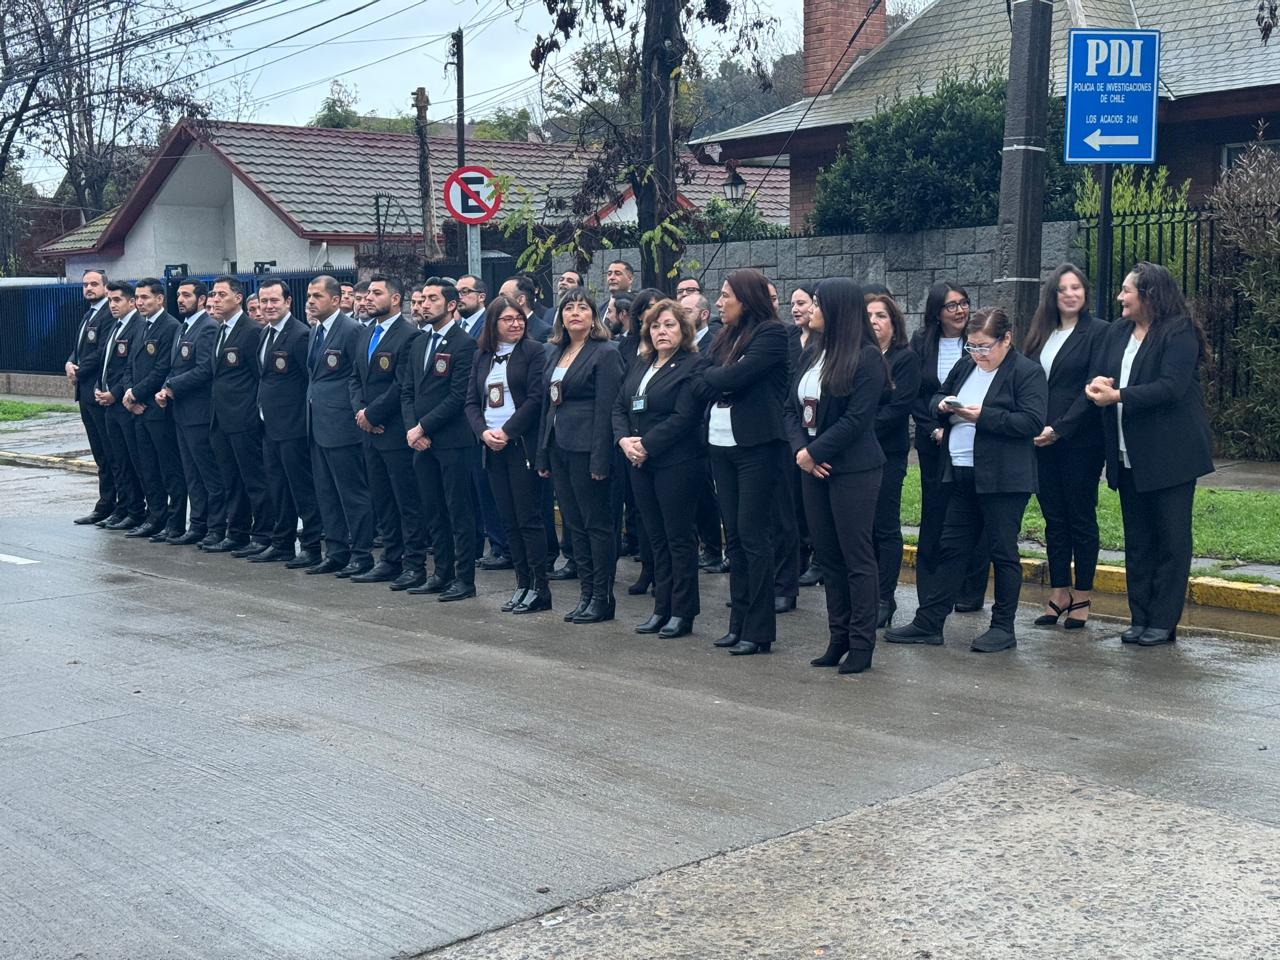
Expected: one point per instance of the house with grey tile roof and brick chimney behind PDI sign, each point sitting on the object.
(1218, 81)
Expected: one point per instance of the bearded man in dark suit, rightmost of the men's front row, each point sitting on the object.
(436, 377)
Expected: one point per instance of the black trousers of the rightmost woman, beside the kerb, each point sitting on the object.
(1158, 551)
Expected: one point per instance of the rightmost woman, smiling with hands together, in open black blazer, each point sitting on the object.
(1158, 444)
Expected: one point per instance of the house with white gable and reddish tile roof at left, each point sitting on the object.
(301, 196)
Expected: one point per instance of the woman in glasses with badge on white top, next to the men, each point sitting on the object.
(504, 409)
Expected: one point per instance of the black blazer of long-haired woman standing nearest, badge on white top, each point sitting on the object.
(847, 426)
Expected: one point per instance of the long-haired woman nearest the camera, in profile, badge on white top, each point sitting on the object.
(831, 424)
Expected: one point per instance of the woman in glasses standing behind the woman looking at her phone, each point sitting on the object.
(940, 345)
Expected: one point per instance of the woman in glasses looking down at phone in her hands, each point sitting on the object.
(990, 408)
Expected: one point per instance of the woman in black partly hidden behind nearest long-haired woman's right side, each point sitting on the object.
(894, 432)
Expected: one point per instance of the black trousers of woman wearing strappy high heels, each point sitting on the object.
(1069, 500)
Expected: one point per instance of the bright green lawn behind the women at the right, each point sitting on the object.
(1229, 525)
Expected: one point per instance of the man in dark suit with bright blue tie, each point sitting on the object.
(376, 399)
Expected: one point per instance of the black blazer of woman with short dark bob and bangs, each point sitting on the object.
(583, 423)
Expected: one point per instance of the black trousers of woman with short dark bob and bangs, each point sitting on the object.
(588, 518)
